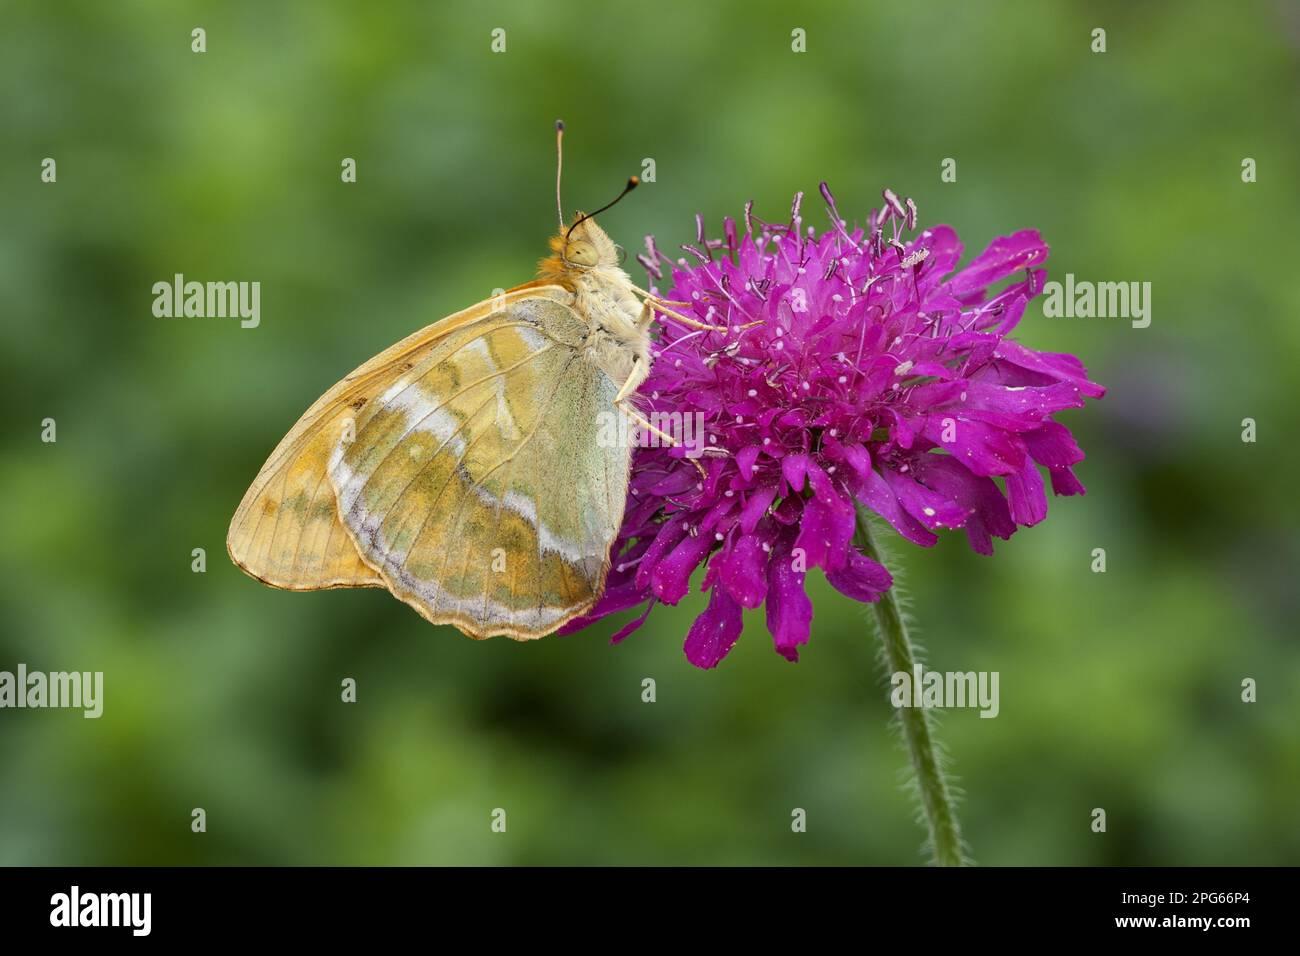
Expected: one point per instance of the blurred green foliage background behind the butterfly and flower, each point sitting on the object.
(1119, 690)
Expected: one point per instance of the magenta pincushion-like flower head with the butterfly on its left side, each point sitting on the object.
(877, 375)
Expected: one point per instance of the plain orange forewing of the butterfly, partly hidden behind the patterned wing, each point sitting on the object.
(287, 531)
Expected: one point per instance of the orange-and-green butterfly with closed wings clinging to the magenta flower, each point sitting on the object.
(462, 469)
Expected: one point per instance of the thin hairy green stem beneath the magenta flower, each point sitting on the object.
(937, 799)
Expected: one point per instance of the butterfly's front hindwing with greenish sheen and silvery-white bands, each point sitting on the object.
(478, 486)
